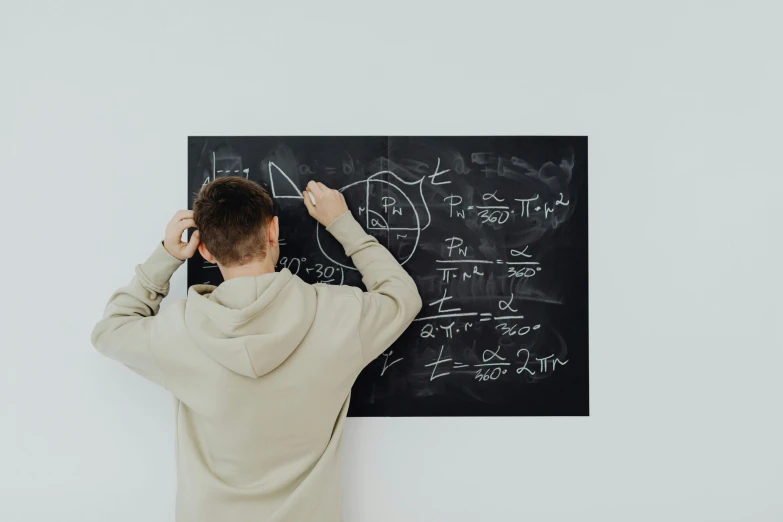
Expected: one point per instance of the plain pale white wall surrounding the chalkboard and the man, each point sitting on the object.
(681, 101)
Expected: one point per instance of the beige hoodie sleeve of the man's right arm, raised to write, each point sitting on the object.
(392, 300)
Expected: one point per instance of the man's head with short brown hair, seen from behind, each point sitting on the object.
(232, 215)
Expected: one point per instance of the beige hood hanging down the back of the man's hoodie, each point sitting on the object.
(251, 325)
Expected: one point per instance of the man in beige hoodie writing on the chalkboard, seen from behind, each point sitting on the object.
(262, 365)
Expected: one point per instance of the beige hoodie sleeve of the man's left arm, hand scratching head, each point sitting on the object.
(124, 333)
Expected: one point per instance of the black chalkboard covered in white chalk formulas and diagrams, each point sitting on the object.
(492, 229)
